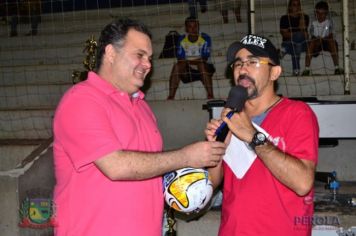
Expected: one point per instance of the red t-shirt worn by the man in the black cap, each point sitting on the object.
(258, 204)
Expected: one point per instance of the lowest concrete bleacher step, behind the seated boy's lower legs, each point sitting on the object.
(46, 95)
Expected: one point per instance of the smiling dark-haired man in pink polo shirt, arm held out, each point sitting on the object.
(107, 146)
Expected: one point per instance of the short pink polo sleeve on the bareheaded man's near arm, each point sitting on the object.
(83, 129)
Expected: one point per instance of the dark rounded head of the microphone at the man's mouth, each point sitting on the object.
(237, 98)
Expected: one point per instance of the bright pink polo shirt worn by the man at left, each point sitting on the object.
(94, 119)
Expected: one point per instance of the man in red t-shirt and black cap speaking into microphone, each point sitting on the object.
(275, 195)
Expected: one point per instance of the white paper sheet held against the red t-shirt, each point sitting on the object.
(239, 156)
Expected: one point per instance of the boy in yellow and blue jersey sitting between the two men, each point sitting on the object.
(193, 54)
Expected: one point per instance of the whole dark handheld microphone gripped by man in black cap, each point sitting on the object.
(236, 101)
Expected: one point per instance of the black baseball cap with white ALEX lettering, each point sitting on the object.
(257, 45)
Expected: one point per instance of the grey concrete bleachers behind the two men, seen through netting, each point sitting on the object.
(49, 59)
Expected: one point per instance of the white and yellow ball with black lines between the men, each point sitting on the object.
(188, 189)
